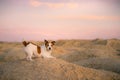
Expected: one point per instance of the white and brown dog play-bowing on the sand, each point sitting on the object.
(33, 50)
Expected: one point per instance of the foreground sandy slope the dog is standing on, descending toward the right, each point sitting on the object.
(51, 69)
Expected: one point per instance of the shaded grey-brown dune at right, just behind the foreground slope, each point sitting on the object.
(107, 64)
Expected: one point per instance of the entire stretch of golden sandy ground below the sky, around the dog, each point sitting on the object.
(76, 60)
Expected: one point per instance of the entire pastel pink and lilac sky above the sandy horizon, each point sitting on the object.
(59, 19)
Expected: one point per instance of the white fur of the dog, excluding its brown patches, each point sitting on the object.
(31, 50)
